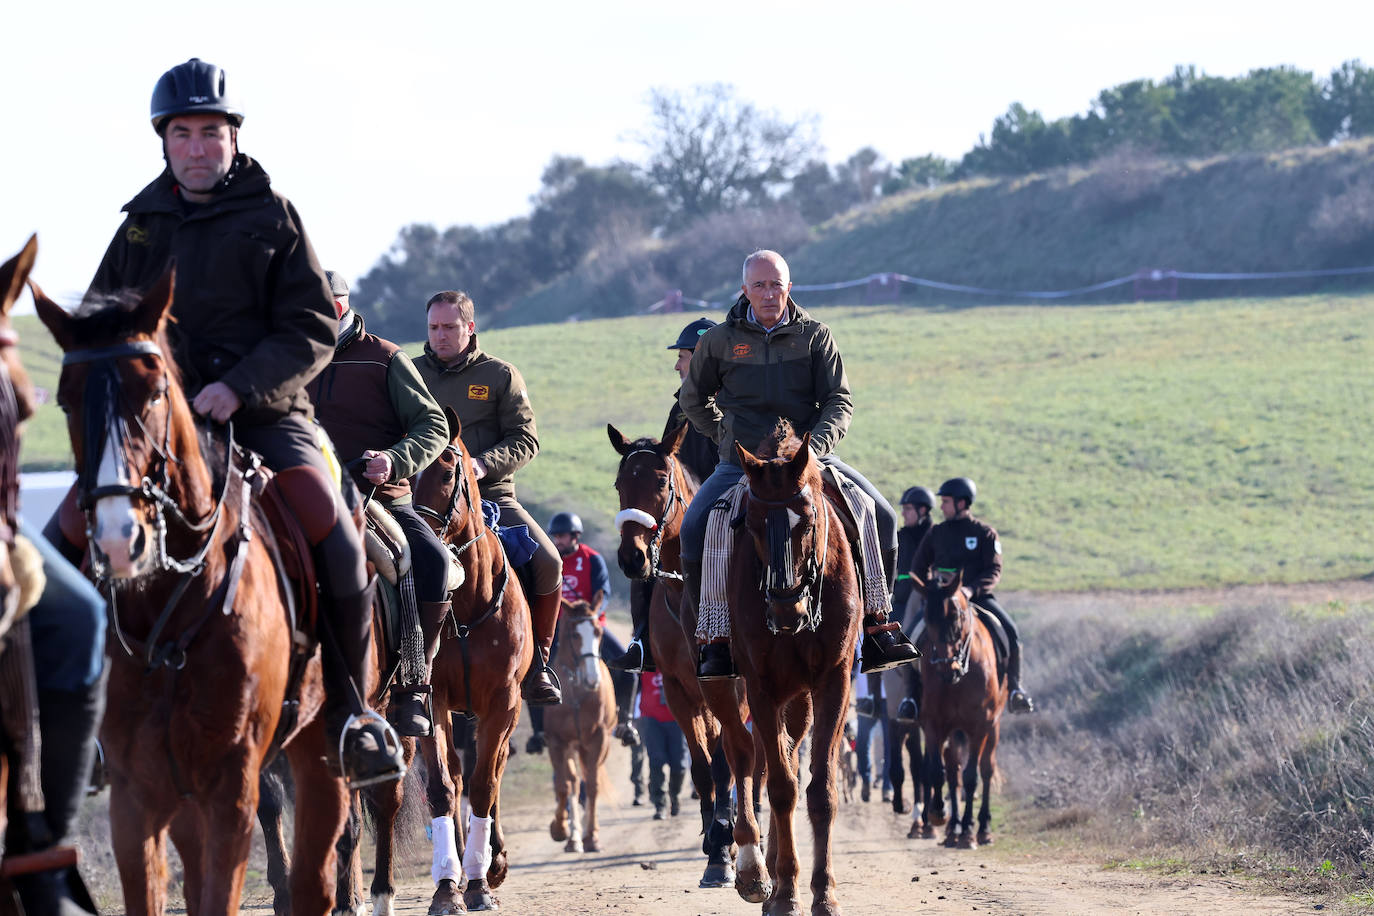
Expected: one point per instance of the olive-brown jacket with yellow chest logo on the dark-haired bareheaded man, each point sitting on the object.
(490, 398)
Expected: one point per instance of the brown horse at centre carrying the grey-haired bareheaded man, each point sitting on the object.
(795, 612)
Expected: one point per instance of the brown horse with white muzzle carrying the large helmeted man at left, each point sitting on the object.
(201, 632)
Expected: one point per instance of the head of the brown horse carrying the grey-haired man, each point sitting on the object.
(788, 521)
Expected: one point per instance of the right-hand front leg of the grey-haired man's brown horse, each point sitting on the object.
(831, 702)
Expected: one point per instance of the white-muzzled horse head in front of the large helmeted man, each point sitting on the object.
(137, 451)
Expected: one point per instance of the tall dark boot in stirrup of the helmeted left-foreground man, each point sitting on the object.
(369, 749)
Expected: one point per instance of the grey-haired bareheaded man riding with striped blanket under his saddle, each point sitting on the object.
(772, 360)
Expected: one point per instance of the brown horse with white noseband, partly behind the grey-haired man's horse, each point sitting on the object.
(655, 492)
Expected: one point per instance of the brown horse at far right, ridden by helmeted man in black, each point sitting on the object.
(961, 712)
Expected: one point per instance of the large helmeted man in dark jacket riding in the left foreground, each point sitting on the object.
(254, 325)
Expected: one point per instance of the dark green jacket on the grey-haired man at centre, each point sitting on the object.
(744, 380)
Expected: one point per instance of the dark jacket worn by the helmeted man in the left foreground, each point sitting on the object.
(252, 306)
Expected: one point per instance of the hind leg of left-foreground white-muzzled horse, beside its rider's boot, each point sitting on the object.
(322, 812)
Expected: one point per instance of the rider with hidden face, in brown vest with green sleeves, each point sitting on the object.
(387, 429)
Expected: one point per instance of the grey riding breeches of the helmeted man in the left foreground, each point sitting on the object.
(291, 443)
